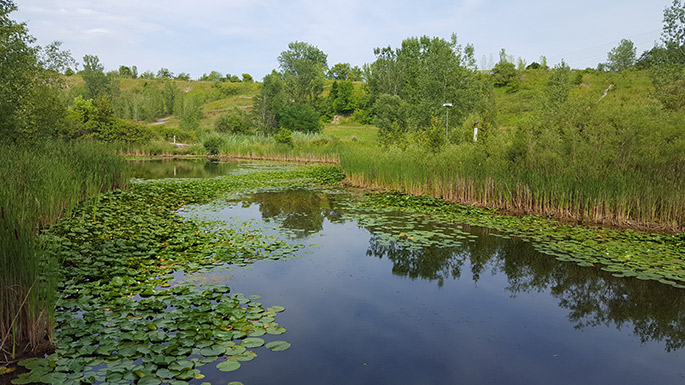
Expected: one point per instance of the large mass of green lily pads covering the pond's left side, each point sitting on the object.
(122, 318)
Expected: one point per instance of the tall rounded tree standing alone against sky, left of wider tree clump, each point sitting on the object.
(303, 68)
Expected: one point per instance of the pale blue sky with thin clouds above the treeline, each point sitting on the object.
(246, 36)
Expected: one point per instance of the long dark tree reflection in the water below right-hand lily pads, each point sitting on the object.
(656, 312)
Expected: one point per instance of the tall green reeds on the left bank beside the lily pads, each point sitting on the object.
(40, 183)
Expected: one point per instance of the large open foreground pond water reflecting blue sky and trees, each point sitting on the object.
(378, 296)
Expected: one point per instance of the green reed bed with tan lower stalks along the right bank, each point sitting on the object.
(649, 200)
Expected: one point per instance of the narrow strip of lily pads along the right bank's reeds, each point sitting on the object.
(625, 253)
